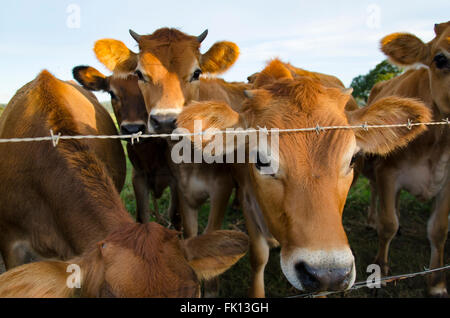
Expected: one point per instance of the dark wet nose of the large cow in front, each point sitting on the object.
(321, 279)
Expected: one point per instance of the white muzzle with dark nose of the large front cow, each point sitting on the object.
(317, 270)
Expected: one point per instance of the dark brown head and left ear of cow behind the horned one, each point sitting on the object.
(126, 98)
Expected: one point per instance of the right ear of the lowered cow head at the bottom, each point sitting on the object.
(212, 254)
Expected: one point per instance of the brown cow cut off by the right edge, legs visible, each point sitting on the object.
(423, 167)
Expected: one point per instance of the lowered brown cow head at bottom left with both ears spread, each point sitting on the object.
(137, 260)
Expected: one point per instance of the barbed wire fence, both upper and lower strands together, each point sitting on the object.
(55, 138)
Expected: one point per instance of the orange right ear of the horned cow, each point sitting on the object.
(219, 58)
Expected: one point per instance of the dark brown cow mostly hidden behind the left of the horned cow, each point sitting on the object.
(148, 157)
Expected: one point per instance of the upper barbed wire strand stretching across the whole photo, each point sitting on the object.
(137, 136)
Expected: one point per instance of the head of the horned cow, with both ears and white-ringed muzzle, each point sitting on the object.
(169, 65)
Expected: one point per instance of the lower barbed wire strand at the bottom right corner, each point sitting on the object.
(363, 284)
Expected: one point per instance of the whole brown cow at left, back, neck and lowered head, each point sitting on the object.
(58, 203)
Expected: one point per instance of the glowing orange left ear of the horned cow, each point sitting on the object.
(116, 56)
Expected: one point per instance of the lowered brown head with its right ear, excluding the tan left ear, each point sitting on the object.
(148, 260)
